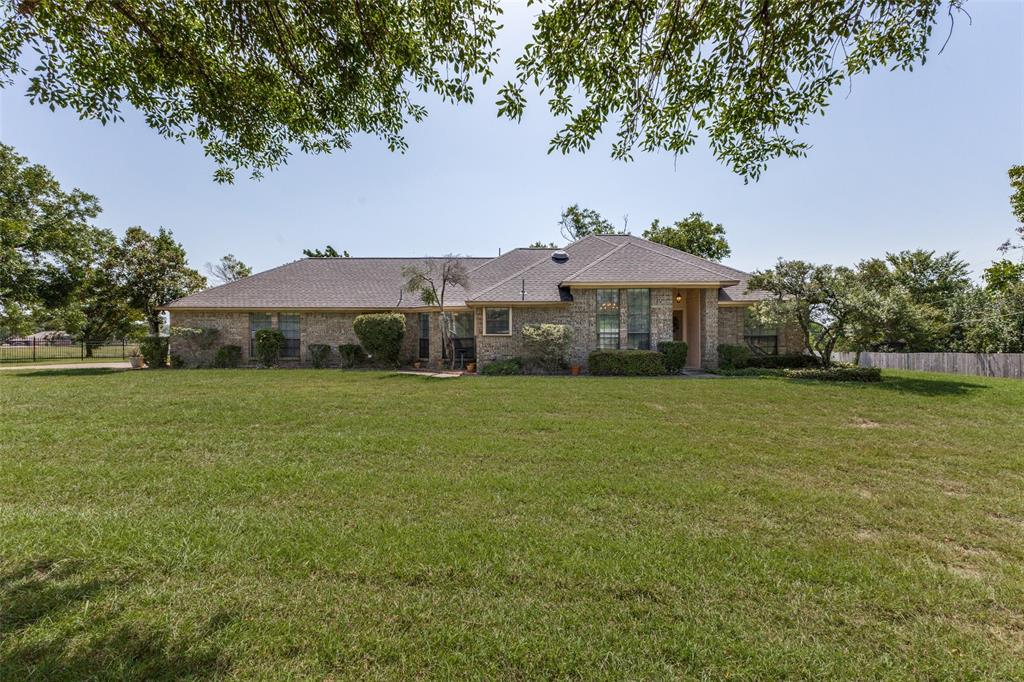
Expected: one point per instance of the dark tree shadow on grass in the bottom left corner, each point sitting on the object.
(37, 643)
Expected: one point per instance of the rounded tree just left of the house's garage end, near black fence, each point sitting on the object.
(152, 271)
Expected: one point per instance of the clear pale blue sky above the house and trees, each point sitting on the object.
(905, 160)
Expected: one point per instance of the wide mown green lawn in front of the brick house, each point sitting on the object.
(330, 525)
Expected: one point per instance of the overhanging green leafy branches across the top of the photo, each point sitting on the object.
(250, 79)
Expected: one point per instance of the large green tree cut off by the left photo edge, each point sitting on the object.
(48, 242)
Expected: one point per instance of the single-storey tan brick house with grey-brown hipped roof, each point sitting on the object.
(616, 291)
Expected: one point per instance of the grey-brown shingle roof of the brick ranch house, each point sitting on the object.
(521, 275)
